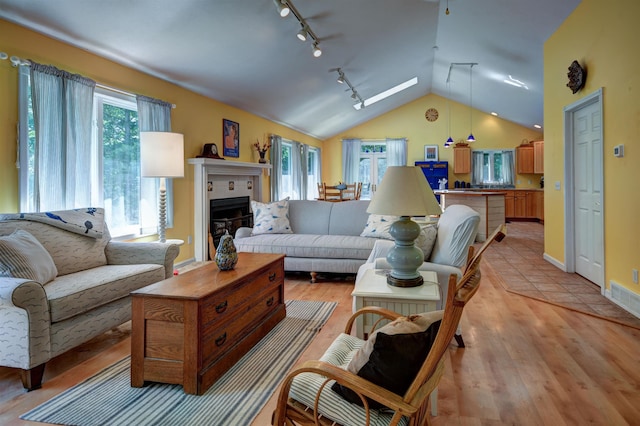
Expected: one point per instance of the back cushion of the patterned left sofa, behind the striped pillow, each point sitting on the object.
(70, 252)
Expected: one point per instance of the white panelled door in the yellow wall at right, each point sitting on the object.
(588, 193)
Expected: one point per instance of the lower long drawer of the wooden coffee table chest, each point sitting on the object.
(220, 337)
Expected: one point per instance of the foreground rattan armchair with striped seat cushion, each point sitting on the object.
(312, 394)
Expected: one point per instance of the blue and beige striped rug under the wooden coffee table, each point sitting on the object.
(235, 399)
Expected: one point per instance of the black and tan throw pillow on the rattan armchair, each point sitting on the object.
(393, 355)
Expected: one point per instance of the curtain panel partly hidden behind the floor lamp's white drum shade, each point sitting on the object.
(154, 115)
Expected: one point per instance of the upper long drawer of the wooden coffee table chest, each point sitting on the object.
(223, 305)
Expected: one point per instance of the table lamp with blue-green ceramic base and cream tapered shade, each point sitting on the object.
(405, 192)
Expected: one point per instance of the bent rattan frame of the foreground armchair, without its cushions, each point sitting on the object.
(415, 402)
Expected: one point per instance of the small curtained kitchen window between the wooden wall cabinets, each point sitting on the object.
(493, 167)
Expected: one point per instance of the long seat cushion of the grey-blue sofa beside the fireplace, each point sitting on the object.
(309, 246)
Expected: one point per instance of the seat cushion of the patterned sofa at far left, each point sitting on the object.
(73, 294)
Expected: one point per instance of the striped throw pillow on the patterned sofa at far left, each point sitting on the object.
(22, 256)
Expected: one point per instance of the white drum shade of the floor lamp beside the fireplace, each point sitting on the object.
(161, 154)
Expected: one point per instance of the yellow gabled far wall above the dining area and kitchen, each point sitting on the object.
(408, 121)
